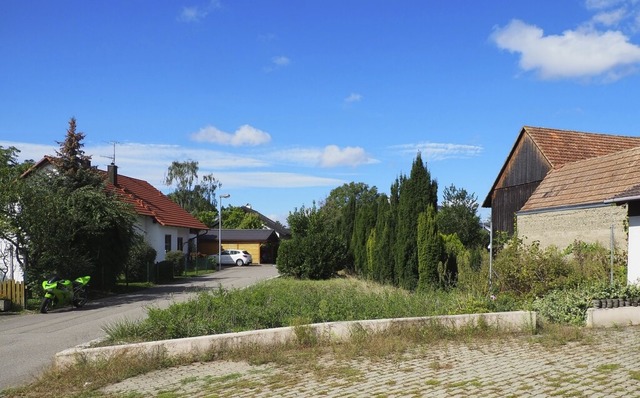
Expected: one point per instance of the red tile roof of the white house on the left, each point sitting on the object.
(149, 201)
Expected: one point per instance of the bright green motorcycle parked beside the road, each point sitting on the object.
(59, 292)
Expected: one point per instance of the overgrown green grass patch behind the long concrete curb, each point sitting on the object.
(283, 302)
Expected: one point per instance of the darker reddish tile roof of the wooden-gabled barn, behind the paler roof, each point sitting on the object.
(564, 146)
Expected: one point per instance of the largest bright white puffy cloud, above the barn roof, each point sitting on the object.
(574, 54)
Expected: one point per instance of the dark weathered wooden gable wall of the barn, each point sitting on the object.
(523, 172)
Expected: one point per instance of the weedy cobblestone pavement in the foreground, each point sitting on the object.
(605, 364)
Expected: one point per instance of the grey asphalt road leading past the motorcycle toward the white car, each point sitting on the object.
(28, 342)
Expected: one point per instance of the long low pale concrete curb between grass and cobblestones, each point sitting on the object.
(507, 321)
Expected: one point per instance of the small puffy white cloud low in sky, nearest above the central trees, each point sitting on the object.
(327, 157)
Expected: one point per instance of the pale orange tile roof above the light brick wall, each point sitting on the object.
(589, 181)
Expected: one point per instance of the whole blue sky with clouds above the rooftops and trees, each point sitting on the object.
(282, 101)
